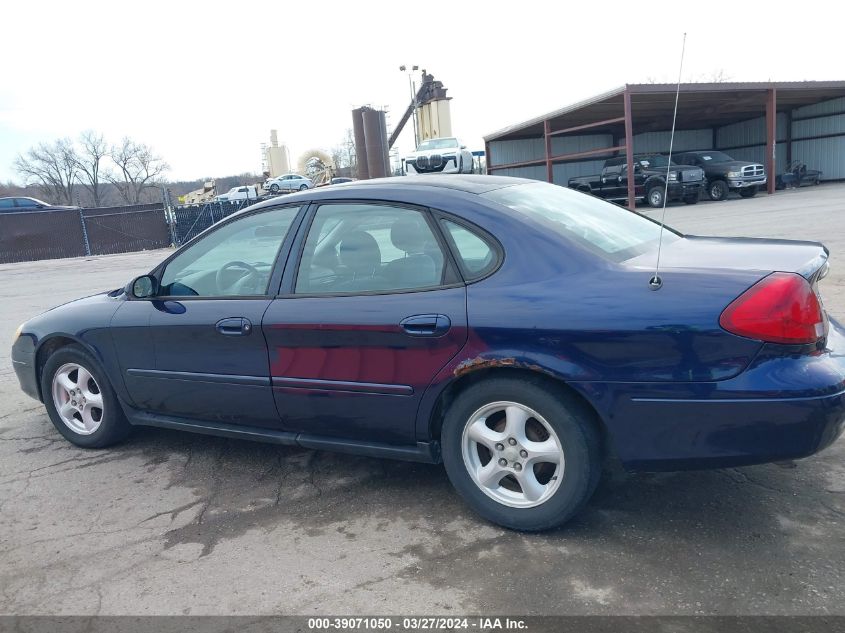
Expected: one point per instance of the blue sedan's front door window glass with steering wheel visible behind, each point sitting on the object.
(235, 260)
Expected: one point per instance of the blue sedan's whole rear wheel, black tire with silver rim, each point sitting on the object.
(540, 416)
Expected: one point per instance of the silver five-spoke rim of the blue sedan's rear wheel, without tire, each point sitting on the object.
(512, 454)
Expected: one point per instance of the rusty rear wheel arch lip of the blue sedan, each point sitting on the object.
(535, 374)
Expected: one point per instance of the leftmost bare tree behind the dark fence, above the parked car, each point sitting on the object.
(53, 168)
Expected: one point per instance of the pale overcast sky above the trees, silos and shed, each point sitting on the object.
(204, 83)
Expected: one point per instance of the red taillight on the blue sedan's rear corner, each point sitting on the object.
(781, 308)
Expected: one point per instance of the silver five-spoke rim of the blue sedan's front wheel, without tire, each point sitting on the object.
(78, 399)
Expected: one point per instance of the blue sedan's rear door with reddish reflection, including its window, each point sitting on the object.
(373, 310)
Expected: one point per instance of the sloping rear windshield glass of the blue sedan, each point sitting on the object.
(603, 228)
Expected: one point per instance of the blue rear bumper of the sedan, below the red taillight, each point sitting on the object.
(781, 407)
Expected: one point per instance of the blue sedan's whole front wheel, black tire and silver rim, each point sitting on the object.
(61, 381)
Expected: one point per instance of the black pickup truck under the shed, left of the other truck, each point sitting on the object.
(685, 181)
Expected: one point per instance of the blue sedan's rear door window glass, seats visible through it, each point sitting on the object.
(354, 248)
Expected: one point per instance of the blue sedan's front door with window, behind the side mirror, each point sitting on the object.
(196, 350)
